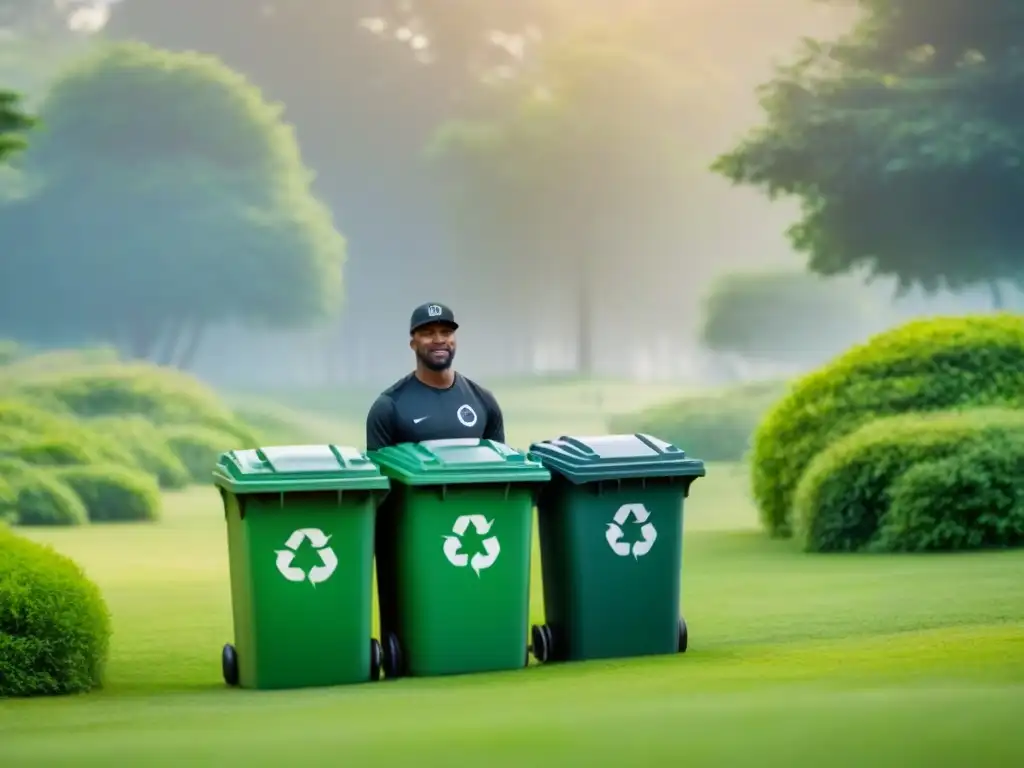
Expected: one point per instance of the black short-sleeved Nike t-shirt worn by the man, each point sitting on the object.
(410, 411)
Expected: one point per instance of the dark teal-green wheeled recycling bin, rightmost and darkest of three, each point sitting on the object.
(611, 529)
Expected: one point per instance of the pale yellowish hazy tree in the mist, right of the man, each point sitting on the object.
(576, 196)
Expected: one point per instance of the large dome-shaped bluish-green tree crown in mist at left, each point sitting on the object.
(173, 196)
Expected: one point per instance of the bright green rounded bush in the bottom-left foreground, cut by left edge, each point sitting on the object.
(55, 626)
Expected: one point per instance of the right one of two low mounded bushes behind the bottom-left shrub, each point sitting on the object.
(114, 494)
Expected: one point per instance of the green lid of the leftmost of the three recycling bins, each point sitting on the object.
(289, 468)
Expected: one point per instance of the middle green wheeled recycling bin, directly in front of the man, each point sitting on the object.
(454, 545)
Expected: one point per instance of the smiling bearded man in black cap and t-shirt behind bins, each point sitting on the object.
(434, 402)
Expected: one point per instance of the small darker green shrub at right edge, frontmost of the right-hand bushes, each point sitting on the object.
(971, 501)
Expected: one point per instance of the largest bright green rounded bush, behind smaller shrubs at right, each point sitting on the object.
(925, 366)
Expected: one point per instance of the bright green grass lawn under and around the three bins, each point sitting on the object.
(794, 660)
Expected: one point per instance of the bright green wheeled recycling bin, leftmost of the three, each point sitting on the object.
(301, 538)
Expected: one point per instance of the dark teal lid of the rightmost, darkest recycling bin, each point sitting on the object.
(615, 457)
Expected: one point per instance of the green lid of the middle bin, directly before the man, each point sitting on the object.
(457, 461)
